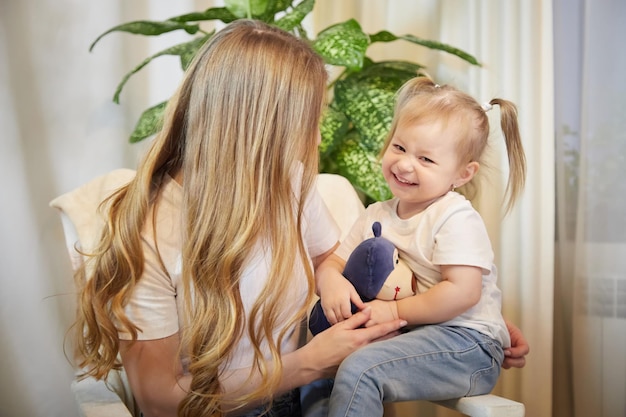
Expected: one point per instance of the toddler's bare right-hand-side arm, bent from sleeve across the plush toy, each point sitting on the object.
(459, 290)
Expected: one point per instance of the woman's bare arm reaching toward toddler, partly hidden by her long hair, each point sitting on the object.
(158, 383)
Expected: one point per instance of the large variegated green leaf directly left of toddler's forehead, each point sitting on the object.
(367, 98)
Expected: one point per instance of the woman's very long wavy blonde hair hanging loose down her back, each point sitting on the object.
(246, 113)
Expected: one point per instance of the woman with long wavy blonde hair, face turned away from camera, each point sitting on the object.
(204, 270)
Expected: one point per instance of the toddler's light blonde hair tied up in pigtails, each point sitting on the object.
(421, 99)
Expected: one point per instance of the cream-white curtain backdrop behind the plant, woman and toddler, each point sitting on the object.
(59, 129)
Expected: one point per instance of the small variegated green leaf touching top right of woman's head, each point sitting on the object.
(343, 44)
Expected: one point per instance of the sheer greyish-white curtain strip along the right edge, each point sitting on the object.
(590, 307)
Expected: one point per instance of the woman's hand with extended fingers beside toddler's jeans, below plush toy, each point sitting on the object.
(333, 345)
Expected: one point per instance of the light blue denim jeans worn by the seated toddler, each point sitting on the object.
(427, 363)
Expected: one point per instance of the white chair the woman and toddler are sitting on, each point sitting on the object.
(81, 224)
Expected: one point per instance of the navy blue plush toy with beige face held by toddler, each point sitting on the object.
(376, 272)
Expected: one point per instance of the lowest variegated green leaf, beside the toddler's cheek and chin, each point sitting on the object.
(361, 167)
